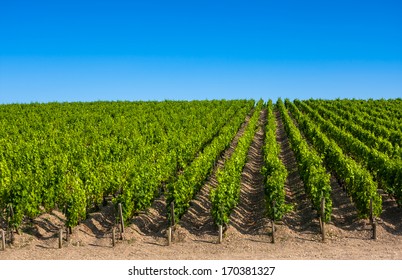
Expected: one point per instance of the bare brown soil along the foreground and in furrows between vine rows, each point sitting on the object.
(248, 236)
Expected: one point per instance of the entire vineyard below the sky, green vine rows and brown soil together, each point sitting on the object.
(145, 179)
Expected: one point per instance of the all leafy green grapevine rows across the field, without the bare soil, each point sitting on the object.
(71, 156)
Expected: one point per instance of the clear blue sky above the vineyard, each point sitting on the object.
(156, 50)
